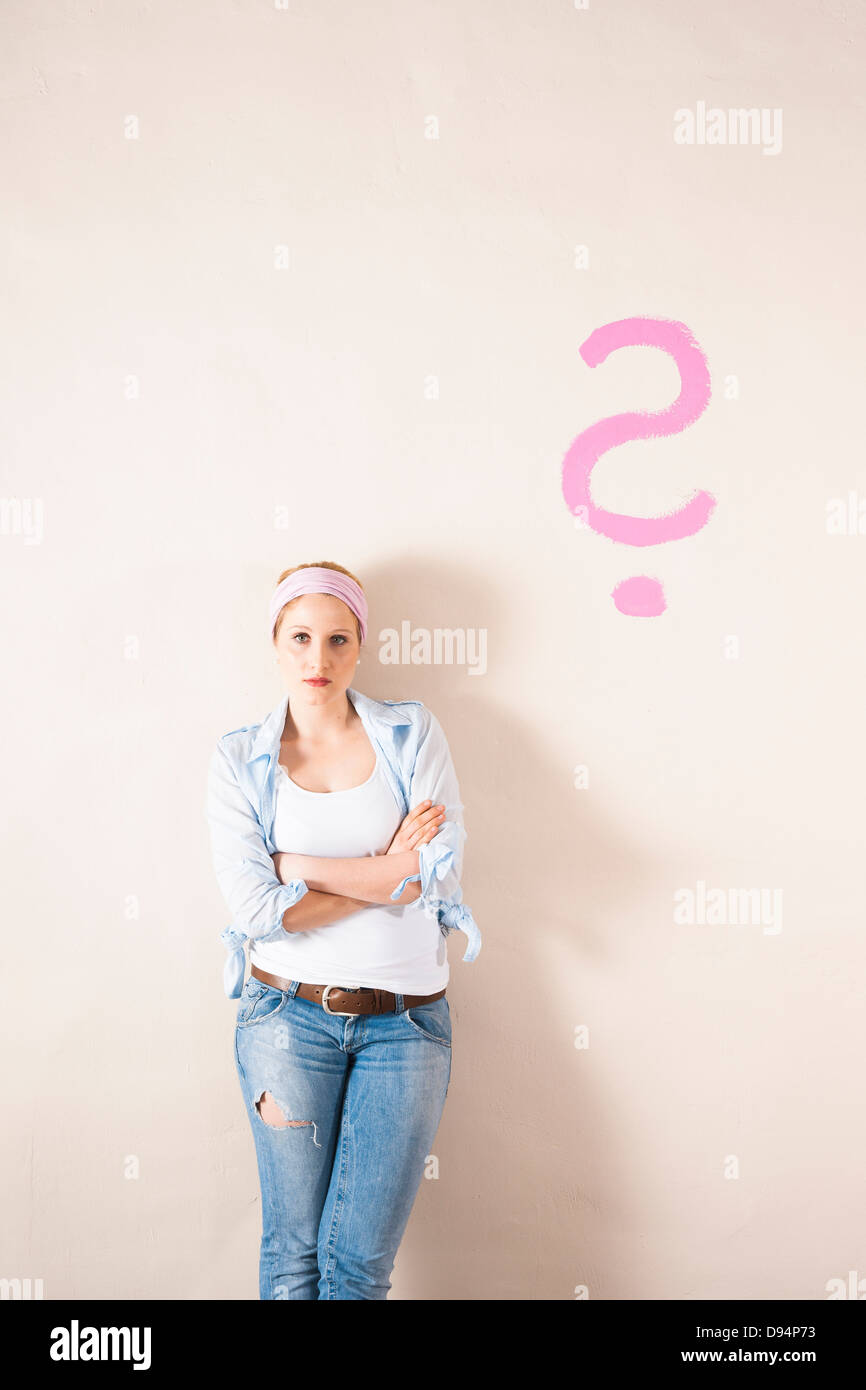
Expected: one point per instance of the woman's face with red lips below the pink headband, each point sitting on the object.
(318, 639)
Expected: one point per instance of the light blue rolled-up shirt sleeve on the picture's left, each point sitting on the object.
(245, 871)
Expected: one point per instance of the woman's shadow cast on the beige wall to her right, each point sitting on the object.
(532, 1150)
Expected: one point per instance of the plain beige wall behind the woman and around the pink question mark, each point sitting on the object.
(193, 419)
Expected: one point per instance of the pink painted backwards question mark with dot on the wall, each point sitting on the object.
(640, 597)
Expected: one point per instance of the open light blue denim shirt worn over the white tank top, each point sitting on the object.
(243, 803)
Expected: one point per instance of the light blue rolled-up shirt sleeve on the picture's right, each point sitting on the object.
(441, 860)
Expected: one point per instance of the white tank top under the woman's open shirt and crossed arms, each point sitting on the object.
(394, 947)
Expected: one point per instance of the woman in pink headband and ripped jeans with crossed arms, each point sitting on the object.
(337, 837)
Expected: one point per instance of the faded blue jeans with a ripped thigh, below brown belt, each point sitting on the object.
(365, 1096)
